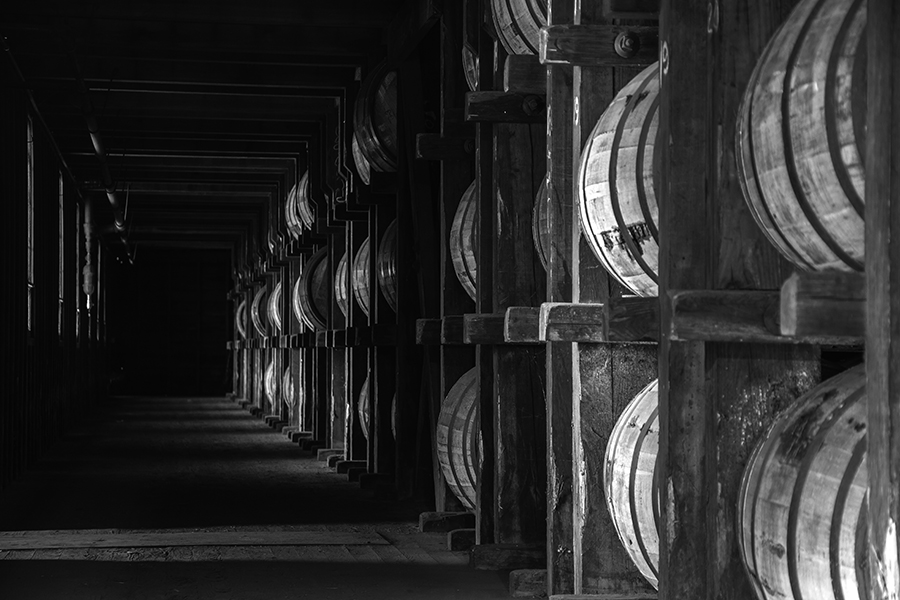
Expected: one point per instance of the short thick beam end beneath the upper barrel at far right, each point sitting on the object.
(824, 304)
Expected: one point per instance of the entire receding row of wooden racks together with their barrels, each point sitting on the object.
(600, 233)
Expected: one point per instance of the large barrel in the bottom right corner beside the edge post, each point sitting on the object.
(802, 504)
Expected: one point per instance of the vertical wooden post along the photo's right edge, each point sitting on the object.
(883, 296)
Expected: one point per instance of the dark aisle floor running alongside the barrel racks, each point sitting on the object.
(163, 466)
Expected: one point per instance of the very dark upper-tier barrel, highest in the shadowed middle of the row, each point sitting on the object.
(375, 119)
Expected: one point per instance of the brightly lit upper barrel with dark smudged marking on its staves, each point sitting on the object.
(616, 186)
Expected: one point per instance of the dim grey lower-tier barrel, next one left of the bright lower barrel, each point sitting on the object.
(458, 438)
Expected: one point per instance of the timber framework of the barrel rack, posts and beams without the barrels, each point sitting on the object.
(733, 335)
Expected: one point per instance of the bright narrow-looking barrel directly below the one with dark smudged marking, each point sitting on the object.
(630, 480)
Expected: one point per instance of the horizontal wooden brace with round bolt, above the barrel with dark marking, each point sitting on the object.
(599, 45)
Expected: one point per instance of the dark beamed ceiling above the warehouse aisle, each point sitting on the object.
(208, 111)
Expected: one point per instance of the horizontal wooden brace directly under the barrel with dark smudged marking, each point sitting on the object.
(620, 320)
